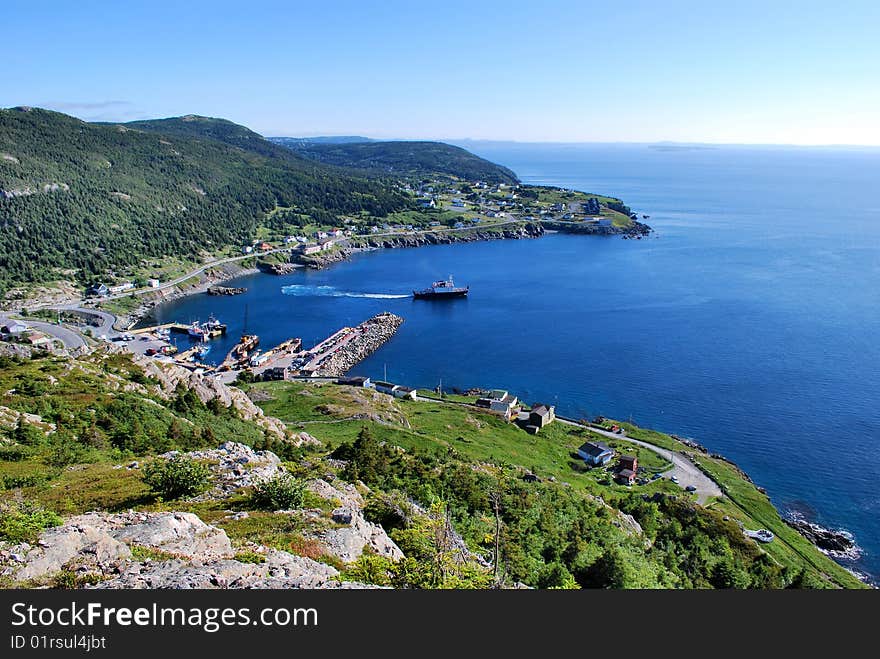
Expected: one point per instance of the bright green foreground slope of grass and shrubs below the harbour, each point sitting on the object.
(569, 528)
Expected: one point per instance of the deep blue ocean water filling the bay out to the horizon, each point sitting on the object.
(750, 321)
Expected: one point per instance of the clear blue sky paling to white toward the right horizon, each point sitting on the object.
(743, 72)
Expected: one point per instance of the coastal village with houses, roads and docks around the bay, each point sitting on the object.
(451, 210)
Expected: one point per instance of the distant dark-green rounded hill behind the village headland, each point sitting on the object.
(418, 159)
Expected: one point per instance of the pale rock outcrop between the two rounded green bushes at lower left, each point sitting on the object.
(235, 466)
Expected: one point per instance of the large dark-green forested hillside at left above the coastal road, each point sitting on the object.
(78, 200)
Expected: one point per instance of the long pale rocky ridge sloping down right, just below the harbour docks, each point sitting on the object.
(207, 388)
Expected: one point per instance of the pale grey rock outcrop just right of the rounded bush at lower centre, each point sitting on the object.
(354, 533)
